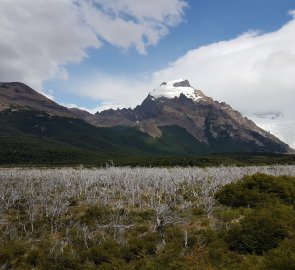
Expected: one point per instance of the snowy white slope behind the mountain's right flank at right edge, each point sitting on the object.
(278, 124)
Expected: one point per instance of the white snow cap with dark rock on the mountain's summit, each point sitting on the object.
(175, 88)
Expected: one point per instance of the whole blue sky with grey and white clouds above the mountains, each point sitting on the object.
(100, 54)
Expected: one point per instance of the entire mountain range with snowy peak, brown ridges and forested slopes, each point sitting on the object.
(174, 120)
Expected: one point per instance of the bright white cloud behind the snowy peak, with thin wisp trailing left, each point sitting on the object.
(253, 73)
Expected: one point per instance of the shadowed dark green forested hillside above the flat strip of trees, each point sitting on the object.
(31, 136)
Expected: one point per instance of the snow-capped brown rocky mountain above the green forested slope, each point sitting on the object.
(209, 121)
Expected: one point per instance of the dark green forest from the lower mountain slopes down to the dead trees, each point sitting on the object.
(35, 138)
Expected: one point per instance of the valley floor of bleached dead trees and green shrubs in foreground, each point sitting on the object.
(148, 218)
